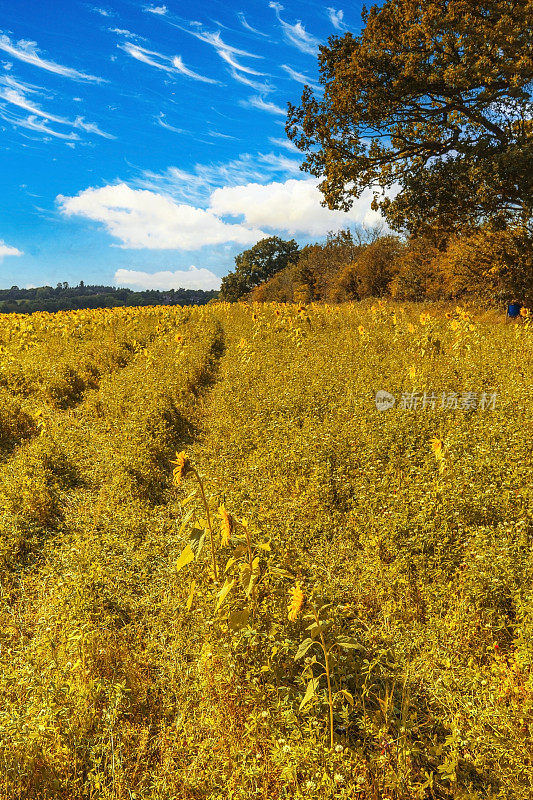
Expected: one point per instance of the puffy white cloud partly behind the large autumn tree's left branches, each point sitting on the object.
(293, 207)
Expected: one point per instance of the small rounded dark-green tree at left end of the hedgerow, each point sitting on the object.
(256, 265)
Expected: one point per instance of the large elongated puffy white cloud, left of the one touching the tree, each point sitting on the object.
(142, 219)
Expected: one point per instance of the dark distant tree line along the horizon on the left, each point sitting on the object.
(68, 298)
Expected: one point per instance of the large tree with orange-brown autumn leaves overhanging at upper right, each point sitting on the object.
(432, 103)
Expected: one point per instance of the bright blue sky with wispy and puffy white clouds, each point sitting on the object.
(143, 145)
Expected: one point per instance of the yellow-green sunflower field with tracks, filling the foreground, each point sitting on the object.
(266, 551)
